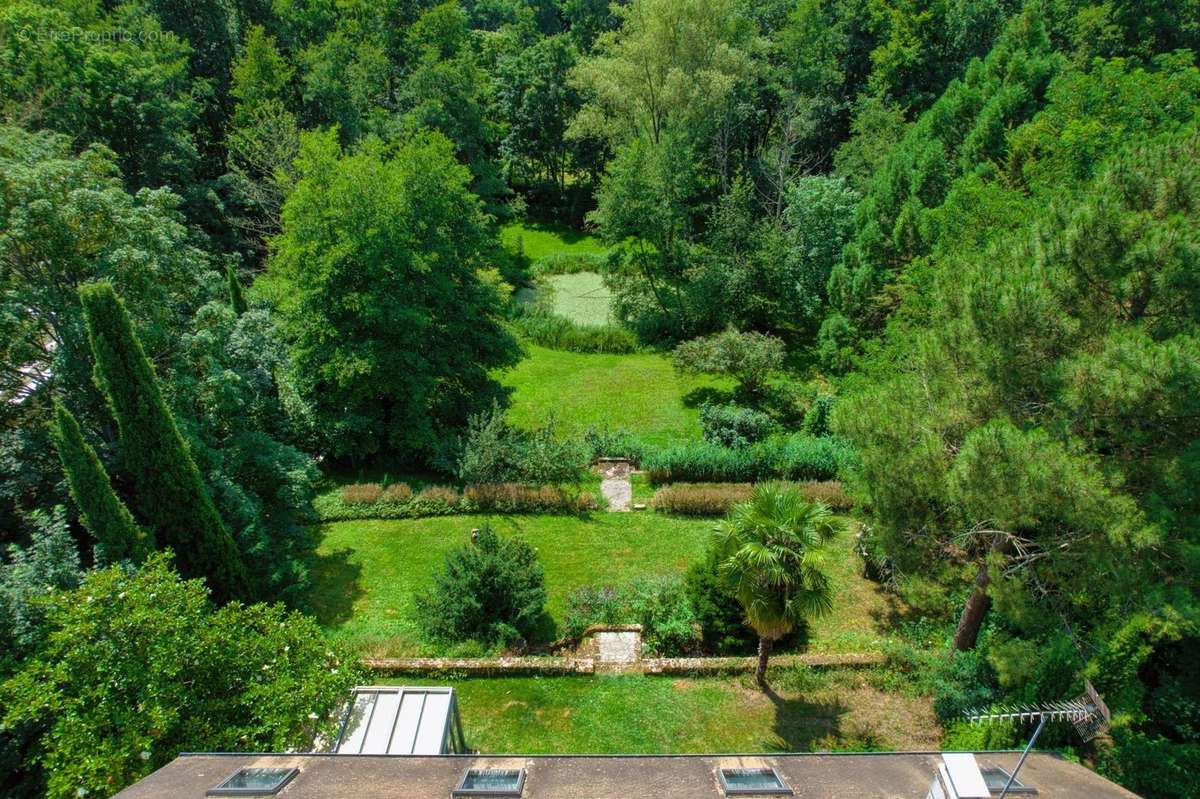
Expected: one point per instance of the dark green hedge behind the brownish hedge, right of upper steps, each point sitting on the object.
(791, 458)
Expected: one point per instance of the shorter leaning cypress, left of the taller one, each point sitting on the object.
(117, 536)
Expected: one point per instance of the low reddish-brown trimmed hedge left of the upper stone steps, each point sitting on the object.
(370, 501)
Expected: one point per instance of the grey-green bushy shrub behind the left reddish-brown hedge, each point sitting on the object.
(496, 453)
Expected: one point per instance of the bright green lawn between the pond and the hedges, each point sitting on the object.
(640, 393)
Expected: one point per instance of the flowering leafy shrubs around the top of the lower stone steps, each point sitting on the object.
(658, 604)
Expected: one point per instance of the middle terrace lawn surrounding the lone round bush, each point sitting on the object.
(369, 572)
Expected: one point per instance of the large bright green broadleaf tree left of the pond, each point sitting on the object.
(392, 332)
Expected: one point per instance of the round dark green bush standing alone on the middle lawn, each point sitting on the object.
(493, 591)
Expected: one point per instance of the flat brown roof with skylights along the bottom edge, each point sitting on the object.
(890, 776)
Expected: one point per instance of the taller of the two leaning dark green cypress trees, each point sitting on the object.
(170, 494)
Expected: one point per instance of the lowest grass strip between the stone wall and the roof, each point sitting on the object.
(839, 710)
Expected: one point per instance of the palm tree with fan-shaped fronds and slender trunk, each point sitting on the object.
(771, 549)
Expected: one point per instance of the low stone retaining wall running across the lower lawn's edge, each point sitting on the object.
(496, 666)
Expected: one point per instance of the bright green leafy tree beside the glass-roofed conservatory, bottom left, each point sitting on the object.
(137, 666)
